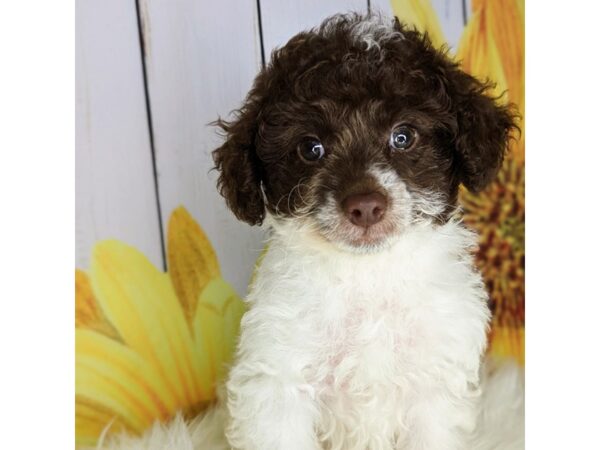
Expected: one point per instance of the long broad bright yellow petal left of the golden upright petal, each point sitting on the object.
(141, 304)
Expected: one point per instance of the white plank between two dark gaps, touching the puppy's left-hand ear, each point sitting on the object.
(202, 57)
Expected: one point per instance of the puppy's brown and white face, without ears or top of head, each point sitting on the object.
(357, 171)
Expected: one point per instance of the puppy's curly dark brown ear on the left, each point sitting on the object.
(240, 169)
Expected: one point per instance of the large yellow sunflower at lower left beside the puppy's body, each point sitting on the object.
(150, 344)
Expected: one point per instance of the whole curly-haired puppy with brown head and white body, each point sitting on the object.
(367, 319)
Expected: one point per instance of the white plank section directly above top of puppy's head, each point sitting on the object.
(281, 19)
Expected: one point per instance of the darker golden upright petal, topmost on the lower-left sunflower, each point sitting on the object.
(191, 259)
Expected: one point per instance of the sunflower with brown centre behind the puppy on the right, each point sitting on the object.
(492, 48)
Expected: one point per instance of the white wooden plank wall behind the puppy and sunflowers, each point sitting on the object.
(150, 76)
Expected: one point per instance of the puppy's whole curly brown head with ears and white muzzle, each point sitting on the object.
(357, 130)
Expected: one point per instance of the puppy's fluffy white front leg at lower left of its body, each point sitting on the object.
(269, 409)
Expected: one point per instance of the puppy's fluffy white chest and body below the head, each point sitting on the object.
(361, 351)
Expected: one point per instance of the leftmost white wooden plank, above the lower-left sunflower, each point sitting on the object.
(115, 196)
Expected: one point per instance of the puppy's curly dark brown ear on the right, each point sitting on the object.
(483, 129)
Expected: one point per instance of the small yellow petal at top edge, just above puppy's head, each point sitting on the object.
(421, 14)
